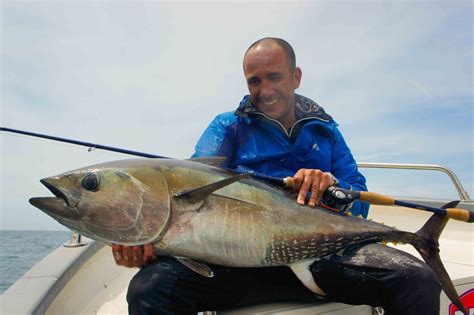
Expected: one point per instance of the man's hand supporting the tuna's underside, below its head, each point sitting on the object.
(133, 256)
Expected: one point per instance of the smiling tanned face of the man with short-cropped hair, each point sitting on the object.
(271, 82)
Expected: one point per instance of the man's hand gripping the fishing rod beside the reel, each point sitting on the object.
(311, 180)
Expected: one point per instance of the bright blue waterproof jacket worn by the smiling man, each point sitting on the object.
(251, 141)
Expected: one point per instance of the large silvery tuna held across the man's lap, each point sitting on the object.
(200, 213)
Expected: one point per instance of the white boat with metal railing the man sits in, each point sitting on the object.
(81, 277)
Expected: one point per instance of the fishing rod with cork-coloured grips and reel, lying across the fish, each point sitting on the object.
(333, 195)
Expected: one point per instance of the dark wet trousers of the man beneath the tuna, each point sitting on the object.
(374, 274)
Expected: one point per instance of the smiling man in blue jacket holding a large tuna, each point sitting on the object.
(279, 133)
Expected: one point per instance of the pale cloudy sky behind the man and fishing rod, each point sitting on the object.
(150, 75)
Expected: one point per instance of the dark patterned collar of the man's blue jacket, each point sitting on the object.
(304, 108)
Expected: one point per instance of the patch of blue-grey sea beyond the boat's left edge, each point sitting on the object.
(21, 250)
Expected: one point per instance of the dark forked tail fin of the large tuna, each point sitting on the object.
(428, 247)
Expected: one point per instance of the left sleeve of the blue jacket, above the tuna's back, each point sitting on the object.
(218, 139)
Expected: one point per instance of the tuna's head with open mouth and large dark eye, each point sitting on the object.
(109, 204)
